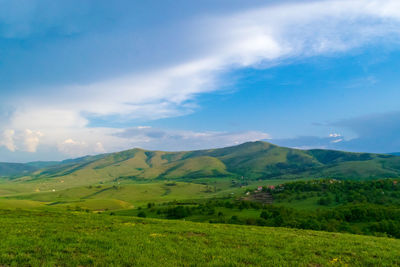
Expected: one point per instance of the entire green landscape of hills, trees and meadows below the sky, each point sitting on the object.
(265, 192)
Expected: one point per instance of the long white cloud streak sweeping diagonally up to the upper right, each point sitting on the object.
(262, 36)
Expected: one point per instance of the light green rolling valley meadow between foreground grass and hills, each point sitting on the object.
(122, 195)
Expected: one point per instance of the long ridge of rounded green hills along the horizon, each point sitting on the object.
(252, 160)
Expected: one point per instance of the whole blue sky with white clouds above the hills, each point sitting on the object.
(97, 76)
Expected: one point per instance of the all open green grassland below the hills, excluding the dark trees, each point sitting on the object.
(95, 225)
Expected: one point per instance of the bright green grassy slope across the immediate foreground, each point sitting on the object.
(40, 238)
